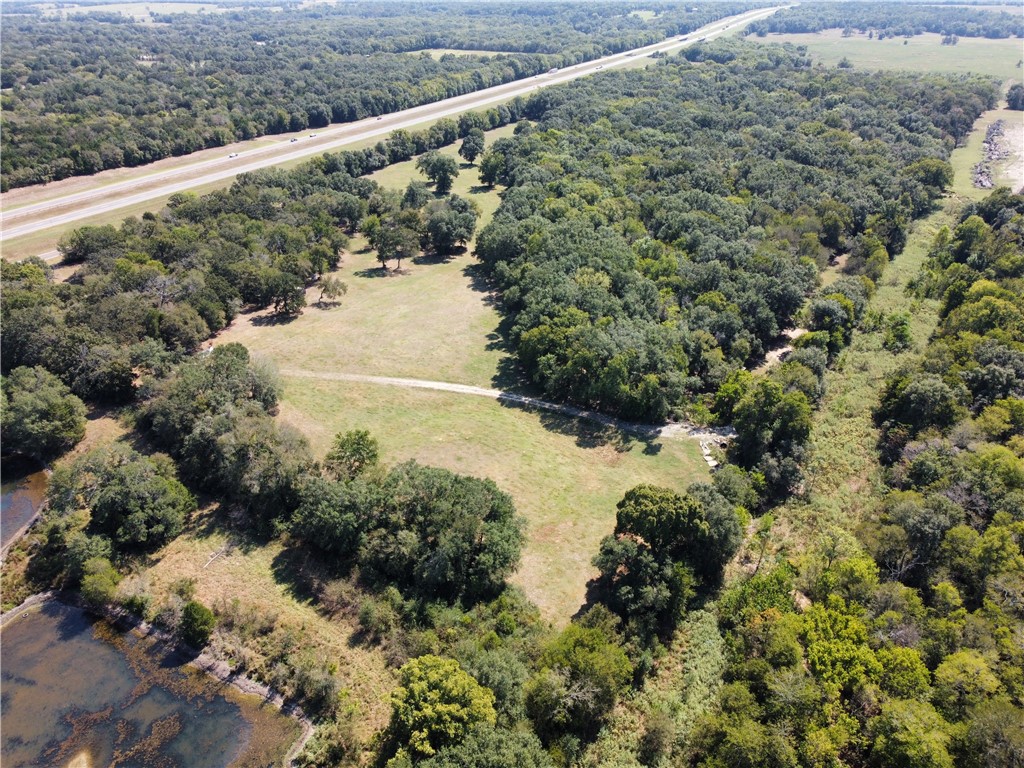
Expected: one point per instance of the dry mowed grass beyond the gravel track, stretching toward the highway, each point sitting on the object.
(430, 322)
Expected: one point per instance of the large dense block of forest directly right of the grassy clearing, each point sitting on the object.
(647, 253)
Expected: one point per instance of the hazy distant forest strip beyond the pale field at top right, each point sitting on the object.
(891, 20)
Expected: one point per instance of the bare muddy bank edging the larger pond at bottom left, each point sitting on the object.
(203, 662)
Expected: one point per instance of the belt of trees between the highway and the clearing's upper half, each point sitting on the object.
(149, 293)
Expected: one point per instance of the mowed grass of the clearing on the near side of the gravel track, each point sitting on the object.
(565, 475)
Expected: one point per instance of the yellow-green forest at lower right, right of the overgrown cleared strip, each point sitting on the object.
(910, 653)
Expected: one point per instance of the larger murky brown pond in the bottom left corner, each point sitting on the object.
(78, 693)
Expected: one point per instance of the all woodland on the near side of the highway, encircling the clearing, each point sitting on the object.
(659, 231)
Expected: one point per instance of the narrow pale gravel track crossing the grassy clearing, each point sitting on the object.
(681, 430)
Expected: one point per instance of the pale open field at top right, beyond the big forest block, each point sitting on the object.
(920, 54)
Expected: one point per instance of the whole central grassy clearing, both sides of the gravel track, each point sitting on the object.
(436, 322)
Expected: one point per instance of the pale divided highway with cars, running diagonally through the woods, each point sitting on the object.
(145, 185)
